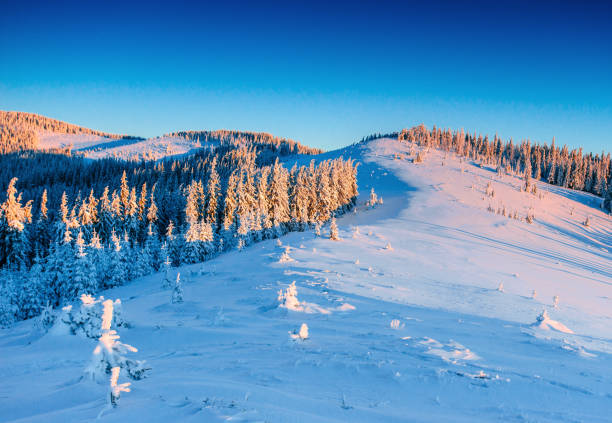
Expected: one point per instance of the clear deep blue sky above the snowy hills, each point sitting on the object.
(324, 73)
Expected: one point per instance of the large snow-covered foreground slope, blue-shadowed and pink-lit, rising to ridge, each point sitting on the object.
(428, 308)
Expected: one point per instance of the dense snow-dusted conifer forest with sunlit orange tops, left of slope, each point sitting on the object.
(72, 226)
